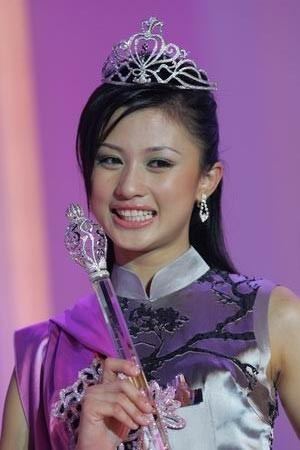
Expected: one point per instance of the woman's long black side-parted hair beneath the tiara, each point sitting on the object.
(196, 110)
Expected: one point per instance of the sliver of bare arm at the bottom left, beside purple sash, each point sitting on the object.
(14, 427)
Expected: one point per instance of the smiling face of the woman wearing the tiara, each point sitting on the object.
(145, 182)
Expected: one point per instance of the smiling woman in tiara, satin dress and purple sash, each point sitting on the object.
(148, 149)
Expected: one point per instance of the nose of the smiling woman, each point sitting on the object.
(131, 183)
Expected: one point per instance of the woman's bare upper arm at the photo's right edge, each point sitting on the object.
(284, 326)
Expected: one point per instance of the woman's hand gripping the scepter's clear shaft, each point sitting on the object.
(112, 408)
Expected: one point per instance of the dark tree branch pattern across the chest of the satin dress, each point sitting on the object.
(236, 290)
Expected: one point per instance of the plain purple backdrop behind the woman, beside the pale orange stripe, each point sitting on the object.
(250, 48)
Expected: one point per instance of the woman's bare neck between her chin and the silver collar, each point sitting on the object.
(145, 265)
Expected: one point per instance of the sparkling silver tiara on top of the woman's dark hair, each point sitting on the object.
(146, 58)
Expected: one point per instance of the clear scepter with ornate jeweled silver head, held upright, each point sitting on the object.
(87, 245)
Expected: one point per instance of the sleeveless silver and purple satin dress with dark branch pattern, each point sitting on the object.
(211, 327)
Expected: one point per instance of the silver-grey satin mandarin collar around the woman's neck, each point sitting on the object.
(174, 276)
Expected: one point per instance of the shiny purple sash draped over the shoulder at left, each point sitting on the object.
(49, 356)
